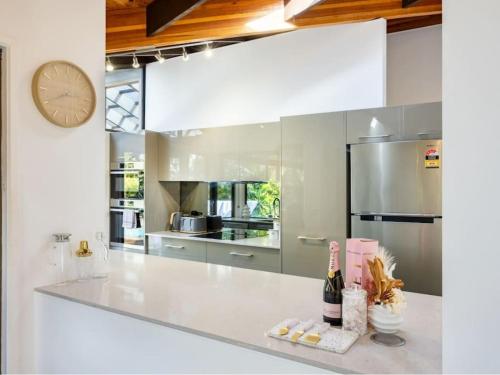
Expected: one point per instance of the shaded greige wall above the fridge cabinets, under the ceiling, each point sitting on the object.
(414, 66)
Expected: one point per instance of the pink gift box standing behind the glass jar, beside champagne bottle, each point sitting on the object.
(358, 252)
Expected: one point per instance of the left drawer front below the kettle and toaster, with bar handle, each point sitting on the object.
(180, 249)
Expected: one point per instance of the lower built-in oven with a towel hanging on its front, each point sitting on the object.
(127, 234)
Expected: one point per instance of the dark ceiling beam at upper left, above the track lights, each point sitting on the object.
(161, 13)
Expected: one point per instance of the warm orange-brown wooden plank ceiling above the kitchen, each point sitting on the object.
(225, 19)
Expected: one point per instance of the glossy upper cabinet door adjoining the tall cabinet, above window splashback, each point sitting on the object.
(259, 152)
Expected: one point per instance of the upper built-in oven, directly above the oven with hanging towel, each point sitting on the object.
(127, 181)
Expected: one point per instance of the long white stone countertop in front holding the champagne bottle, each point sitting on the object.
(239, 305)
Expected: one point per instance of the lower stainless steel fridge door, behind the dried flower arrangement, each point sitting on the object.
(416, 247)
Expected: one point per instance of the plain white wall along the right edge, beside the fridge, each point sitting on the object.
(471, 252)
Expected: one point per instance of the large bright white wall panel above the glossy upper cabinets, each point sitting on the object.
(307, 71)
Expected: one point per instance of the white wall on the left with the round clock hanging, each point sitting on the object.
(55, 177)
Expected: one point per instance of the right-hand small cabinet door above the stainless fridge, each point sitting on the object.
(423, 121)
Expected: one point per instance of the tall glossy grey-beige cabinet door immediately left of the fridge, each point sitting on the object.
(313, 191)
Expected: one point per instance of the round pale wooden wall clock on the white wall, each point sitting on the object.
(63, 94)
